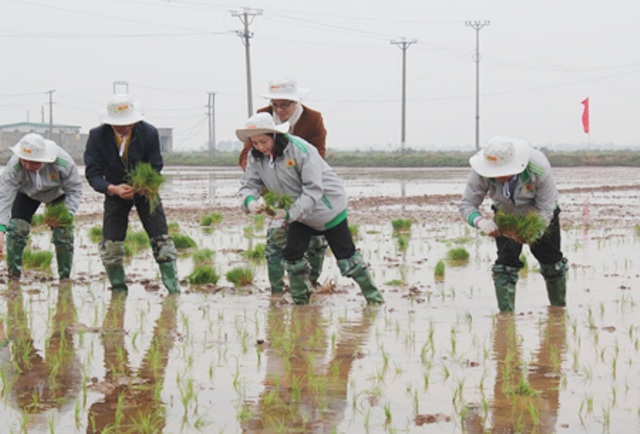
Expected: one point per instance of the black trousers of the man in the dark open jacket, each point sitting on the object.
(116, 217)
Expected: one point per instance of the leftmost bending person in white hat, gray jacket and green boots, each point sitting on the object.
(39, 171)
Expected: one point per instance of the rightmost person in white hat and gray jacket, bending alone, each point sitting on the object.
(518, 180)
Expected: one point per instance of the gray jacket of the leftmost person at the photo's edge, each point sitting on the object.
(57, 178)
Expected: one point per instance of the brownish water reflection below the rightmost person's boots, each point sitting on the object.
(526, 398)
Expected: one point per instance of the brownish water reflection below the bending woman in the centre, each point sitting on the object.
(303, 392)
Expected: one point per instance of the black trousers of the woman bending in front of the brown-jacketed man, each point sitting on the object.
(299, 235)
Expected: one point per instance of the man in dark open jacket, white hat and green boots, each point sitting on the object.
(113, 150)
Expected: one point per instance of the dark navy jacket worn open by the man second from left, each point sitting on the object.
(103, 165)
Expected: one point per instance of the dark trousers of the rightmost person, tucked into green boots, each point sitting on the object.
(546, 249)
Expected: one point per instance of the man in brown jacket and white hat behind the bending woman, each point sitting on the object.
(285, 106)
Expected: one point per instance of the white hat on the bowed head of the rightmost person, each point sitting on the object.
(501, 156)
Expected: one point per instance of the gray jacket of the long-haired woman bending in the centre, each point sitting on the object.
(320, 200)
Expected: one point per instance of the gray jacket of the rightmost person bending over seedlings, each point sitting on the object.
(534, 191)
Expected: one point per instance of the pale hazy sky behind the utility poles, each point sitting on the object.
(539, 60)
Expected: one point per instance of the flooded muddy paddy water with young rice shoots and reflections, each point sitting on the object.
(434, 358)
